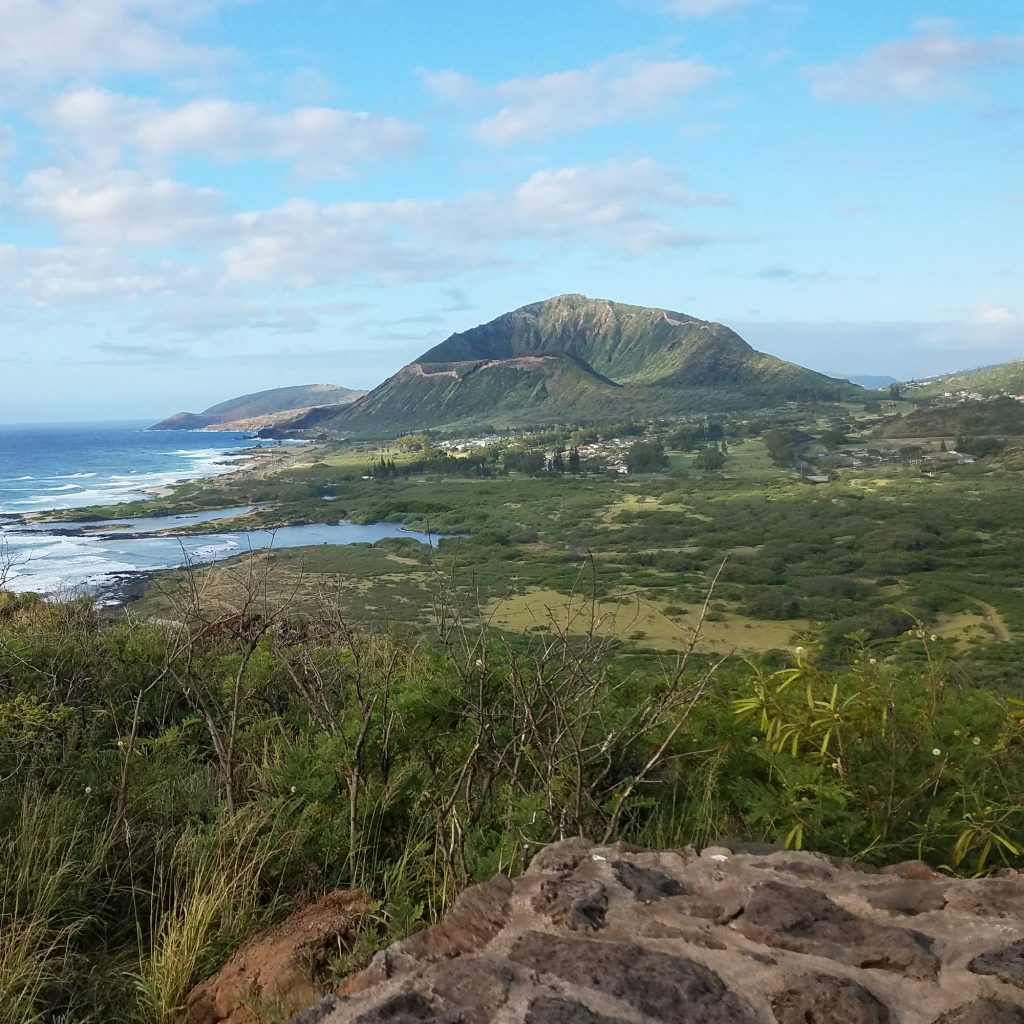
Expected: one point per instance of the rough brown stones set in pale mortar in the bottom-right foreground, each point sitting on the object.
(741, 935)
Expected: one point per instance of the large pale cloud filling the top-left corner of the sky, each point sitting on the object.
(48, 40)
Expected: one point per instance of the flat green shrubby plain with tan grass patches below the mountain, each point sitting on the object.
(880, 549)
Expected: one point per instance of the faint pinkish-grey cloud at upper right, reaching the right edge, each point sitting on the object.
(931, 65)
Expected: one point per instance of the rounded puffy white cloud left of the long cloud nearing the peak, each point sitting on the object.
(123, 208)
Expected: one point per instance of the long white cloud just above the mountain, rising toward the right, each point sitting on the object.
(621, 207)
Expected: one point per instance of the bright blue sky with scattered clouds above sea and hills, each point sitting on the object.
(203, 198)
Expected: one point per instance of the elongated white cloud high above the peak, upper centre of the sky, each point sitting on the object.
(622, 88)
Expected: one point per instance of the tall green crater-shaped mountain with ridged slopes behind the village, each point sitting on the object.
(573, 358)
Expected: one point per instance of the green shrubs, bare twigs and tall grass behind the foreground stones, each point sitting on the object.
(169, 789)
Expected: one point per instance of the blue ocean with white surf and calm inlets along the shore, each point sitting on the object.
(70, 466)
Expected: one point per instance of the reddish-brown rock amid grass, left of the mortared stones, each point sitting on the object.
(277, 967)
